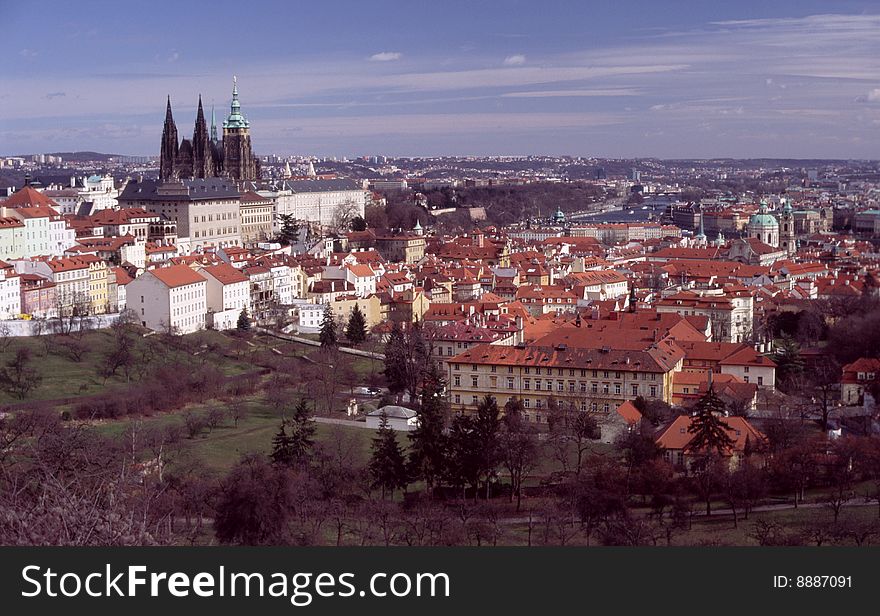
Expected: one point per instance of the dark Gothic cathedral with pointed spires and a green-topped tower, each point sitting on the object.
(206, 156)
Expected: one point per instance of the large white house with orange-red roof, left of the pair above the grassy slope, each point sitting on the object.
(170, 298)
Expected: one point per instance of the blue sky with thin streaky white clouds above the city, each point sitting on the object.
(615, 79)
